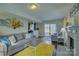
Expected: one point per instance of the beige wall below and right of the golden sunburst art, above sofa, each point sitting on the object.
(7, 30)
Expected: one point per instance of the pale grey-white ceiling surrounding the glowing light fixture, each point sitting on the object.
(45, 11)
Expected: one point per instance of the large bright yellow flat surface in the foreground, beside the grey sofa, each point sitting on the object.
(42, 49)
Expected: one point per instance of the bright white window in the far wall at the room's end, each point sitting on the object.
(50, 29)
